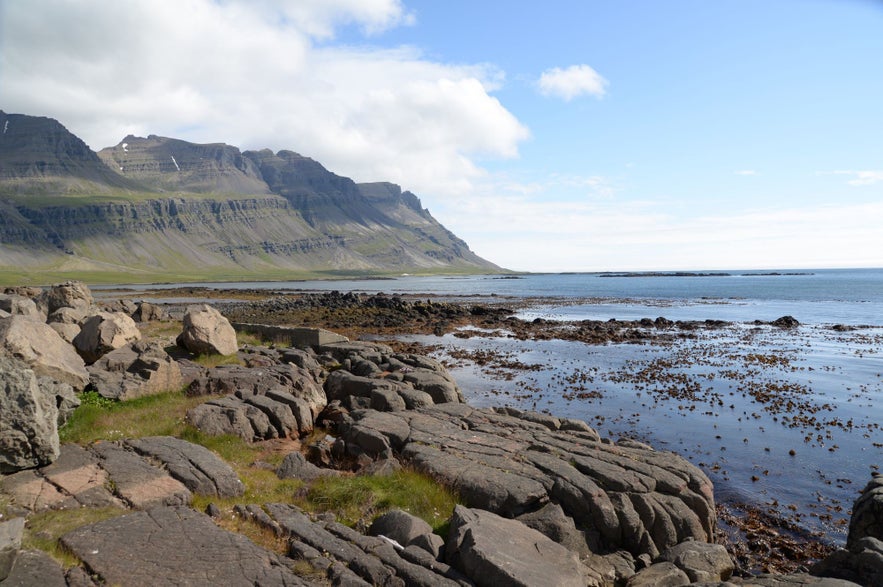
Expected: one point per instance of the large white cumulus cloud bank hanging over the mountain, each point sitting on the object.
(257, 74)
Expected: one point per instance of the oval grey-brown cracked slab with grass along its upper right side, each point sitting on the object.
(198, 468)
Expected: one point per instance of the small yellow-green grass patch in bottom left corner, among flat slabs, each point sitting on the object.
(43, 529)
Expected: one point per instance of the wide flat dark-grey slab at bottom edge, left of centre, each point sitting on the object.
(174, 546)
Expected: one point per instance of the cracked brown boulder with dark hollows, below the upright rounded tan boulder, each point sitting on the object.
(135, 370)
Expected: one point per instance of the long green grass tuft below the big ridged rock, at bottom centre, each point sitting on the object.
(363, 498)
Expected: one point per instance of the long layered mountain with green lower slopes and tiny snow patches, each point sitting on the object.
(159, 208)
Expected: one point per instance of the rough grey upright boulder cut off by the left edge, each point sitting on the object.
(28, 419)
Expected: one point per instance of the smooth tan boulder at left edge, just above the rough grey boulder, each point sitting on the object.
(43, 350)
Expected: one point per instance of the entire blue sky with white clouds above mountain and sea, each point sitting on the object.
(568, 135)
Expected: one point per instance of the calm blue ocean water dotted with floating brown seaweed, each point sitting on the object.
(787, 420)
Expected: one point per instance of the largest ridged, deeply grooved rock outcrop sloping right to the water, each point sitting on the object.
(626, 497)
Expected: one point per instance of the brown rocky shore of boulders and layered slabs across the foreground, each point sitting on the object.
(540, 499)
